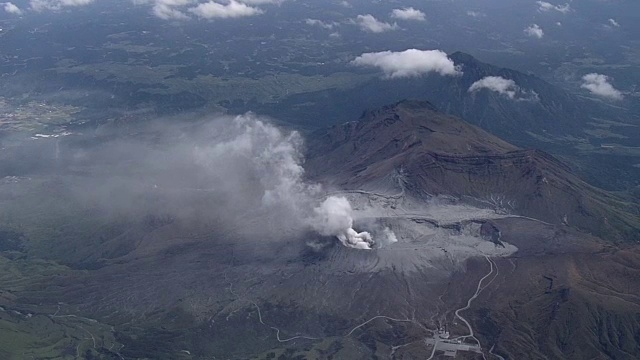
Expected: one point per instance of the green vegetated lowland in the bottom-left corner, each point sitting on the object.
(44, 331)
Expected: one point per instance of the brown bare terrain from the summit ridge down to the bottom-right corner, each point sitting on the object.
(571, 291)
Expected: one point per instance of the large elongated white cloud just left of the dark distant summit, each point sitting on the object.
(408, 63)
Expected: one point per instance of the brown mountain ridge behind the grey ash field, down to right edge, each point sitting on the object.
(442, 155)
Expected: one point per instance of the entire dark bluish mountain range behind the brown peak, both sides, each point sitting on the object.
(597, 138)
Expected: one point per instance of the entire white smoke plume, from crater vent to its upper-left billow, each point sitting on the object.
(251, 148)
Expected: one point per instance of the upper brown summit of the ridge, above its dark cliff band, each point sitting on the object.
(409, 124)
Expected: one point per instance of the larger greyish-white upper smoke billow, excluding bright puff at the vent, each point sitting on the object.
(252, 150)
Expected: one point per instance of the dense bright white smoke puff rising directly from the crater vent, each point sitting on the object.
(334, 218)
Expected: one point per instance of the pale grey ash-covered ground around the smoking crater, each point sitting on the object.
(411, 235)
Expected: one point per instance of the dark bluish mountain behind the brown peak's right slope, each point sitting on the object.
(597, 137)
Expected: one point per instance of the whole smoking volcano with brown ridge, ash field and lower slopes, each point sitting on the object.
(497, 252)
